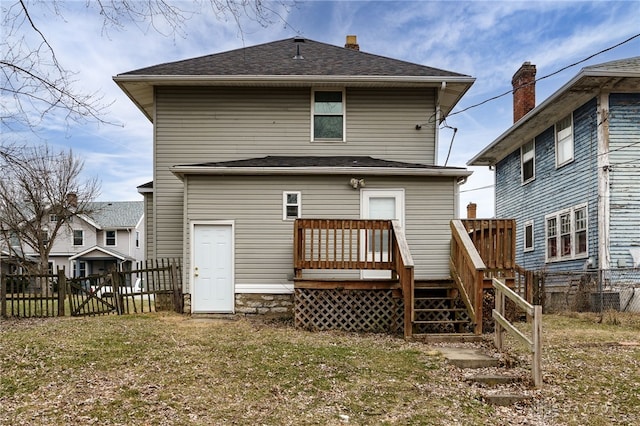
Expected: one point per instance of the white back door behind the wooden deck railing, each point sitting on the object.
(380, 204)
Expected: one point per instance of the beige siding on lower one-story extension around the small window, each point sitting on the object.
(264, 242)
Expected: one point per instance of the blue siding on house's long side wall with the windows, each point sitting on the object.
(552, 190)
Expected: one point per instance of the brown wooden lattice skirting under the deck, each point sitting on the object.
(349, 310)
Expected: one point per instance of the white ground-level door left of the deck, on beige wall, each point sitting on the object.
(212, 269)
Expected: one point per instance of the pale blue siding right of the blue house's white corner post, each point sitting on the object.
(624, 157)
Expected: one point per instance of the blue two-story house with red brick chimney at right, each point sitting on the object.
(568, 170)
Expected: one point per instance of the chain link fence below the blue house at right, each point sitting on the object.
(591, 290)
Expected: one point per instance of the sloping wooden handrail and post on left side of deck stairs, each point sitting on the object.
(403, 266)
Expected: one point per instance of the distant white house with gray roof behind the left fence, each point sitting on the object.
(112, 236)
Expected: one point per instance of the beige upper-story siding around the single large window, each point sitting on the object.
(203, 124)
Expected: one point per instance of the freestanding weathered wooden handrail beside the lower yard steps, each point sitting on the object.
(534, 343)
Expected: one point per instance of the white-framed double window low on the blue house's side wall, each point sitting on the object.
(572, 231)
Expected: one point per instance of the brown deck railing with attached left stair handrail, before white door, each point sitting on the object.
(364, 244)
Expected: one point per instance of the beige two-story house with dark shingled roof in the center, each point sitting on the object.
(246, 141)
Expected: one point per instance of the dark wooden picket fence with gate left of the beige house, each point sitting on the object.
(153, 285)
